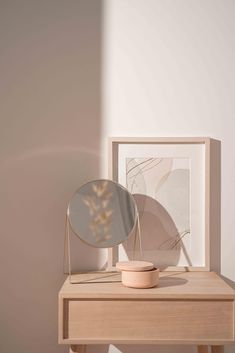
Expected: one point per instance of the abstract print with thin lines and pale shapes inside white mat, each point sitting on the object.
(161, 187)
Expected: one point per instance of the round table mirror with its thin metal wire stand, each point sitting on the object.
(102, 214)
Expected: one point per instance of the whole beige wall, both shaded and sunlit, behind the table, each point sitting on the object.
(167, 70)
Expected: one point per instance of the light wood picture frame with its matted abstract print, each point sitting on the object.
(170, 178)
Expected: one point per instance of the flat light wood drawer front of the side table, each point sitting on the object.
(137, 320)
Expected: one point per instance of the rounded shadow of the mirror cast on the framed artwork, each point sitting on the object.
(159, 234)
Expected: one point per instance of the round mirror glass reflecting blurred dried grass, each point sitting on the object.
(102, 213)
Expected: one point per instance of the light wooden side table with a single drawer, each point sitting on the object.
(186, 308)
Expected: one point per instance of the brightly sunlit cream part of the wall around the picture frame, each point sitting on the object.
(169, 71)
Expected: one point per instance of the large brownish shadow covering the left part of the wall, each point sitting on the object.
(50, 109)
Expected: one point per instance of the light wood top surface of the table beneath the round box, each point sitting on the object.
(172, 285)
